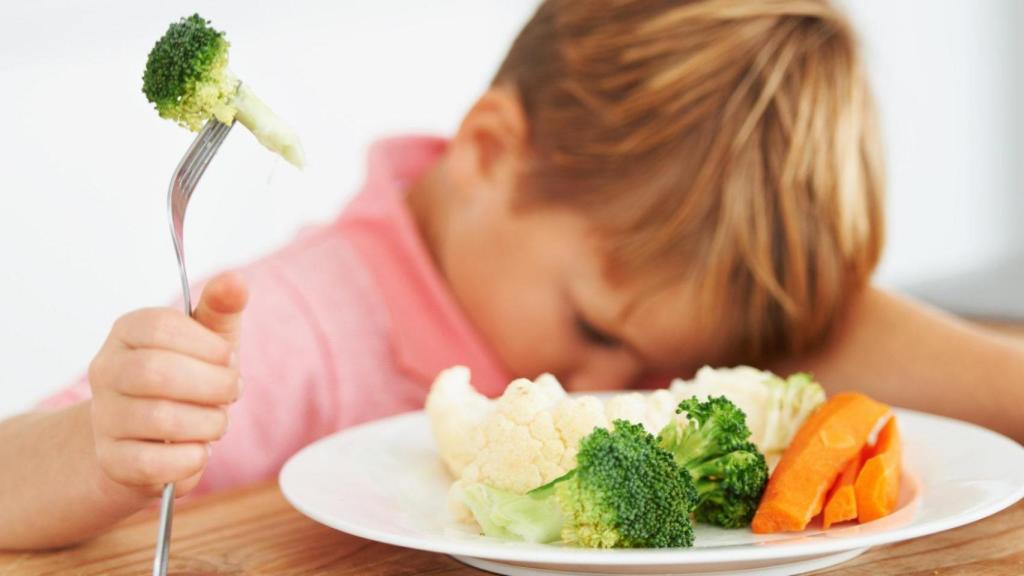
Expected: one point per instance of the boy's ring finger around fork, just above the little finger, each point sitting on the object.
(122, 418)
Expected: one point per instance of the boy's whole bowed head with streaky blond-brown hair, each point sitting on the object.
(699, 180)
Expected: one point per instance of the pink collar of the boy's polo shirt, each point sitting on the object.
(430, 332)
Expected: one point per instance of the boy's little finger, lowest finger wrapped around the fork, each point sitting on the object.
(143, 465)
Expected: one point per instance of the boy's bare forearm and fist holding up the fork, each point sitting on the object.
(160, 388)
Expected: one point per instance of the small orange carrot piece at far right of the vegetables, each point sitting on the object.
(877, 487)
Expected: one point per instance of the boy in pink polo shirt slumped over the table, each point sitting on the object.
(648, 187)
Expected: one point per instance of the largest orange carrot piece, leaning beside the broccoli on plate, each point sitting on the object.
(823, 446)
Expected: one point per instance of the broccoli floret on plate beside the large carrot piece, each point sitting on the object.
(728, 471)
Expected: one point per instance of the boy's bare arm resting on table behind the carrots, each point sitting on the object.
(910, 355)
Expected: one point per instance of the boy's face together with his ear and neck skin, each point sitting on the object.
(532, 279)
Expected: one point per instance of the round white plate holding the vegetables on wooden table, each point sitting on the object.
(385, 481)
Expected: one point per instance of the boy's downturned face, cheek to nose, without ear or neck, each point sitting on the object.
(532, 282)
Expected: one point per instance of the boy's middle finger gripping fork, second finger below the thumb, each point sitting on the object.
(161, 375)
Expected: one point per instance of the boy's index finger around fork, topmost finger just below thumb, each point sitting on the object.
(172, 331)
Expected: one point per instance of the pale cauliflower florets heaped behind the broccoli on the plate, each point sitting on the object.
(530, 436)
